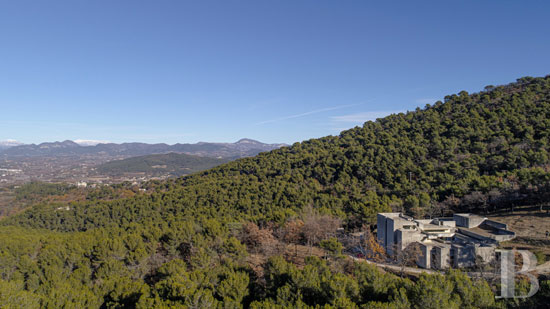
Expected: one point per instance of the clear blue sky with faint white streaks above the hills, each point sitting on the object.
(276, 71)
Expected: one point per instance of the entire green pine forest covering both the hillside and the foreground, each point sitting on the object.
(218, 238)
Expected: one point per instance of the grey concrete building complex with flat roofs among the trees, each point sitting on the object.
(457, 242)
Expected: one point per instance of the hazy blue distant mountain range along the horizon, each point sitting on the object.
(242, 148)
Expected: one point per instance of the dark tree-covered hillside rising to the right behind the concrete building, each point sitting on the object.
(470, 153)
